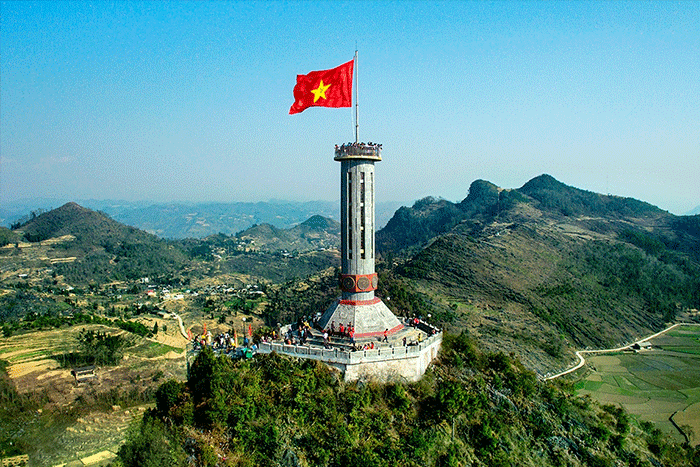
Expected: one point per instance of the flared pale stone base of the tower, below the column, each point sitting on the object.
(369, 317)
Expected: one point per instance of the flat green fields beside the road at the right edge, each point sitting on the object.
(660, 385)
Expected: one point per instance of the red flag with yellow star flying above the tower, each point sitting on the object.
(324, 88)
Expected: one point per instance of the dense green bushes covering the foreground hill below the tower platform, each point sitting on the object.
(471, 408)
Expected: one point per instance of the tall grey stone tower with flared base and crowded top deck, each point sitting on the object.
(358, 306)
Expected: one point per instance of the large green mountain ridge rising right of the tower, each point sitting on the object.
(547, 268)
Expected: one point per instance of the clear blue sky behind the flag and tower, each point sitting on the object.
(189, 101)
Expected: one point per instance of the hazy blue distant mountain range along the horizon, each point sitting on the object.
(196, 220)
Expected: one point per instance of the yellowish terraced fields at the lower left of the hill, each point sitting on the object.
(84, 424)
